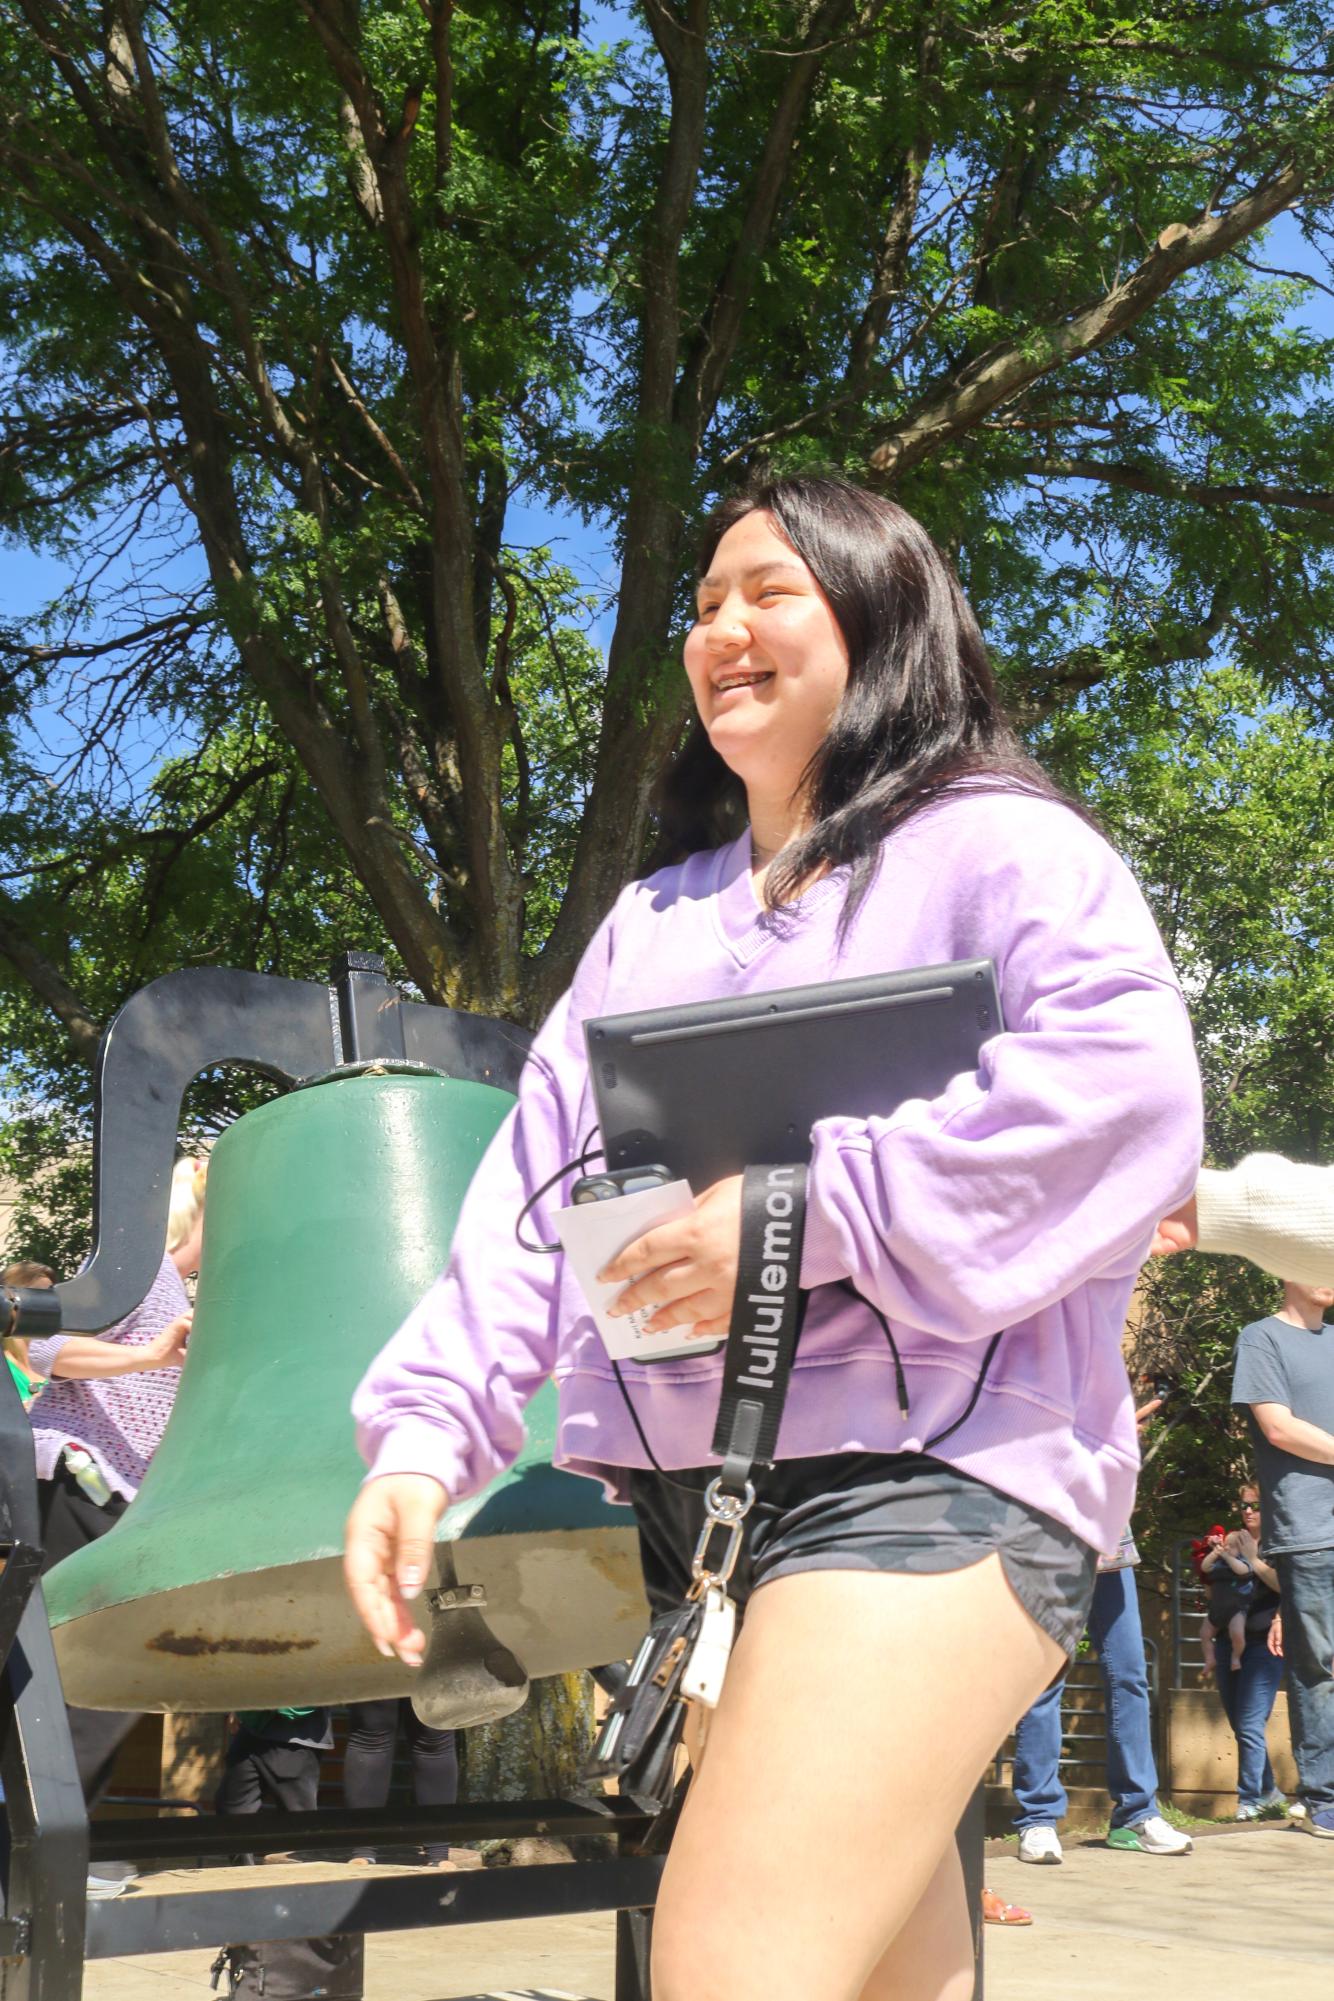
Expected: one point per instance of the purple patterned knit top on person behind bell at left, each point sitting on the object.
(119, 1420)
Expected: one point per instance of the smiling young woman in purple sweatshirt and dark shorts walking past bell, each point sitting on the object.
(909, 1604)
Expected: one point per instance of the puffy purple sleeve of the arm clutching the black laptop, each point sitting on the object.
(1079, 1130)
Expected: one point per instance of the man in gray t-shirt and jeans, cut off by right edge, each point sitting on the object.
(1285, 1376)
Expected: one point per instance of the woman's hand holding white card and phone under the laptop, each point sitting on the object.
(685, 1270)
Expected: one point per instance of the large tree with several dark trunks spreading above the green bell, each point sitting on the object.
(305, 301)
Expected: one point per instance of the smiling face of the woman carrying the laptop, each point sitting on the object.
(765, 657)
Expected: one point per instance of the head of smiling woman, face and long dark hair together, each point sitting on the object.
(871, 687)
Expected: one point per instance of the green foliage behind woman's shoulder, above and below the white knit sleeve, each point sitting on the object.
(1225, 805)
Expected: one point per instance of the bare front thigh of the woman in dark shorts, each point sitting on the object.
(859, 1714)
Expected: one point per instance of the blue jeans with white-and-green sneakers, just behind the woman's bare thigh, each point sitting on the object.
(1133, 1778)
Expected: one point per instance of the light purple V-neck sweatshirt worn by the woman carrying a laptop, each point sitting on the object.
(1021, 1200)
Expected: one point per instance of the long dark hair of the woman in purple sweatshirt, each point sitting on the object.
(919, 713)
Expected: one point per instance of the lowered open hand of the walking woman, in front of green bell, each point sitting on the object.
(387, 1560)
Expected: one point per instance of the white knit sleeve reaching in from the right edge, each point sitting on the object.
(1273, 1212)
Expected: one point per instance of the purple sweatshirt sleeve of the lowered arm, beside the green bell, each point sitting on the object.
(449, 1392)
